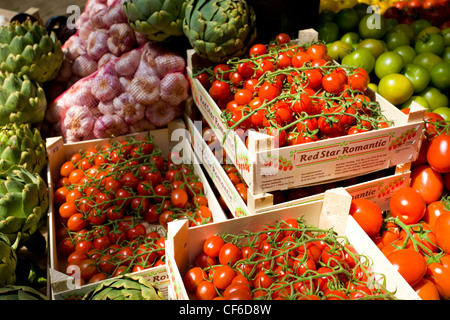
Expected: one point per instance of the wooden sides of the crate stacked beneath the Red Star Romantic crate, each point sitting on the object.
(377, 190)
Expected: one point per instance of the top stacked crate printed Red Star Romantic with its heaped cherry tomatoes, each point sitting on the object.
(288, 116)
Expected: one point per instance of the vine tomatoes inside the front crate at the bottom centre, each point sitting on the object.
(286, 260)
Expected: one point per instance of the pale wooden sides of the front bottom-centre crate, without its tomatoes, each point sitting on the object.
(183, 243)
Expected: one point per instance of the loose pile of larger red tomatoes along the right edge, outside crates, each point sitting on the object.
(415, 233)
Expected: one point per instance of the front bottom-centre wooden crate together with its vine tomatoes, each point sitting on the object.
(313, 251)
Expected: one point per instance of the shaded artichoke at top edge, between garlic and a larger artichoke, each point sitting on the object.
(158, 20)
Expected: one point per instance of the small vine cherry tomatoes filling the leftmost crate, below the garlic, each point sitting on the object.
(113, 204)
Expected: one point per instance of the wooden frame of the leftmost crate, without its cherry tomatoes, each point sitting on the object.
(63, 286)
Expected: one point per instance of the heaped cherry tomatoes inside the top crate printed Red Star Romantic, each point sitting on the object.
(293, 92)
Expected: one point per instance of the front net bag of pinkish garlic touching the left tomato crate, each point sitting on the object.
(144, 89)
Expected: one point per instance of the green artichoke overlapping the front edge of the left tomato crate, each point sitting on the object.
(125, 287)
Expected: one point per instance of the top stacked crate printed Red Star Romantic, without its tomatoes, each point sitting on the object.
(266, 168)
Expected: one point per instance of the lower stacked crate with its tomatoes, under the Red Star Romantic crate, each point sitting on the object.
(240, 201)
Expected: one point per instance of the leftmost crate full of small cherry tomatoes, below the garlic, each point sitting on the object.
(111, 200)
